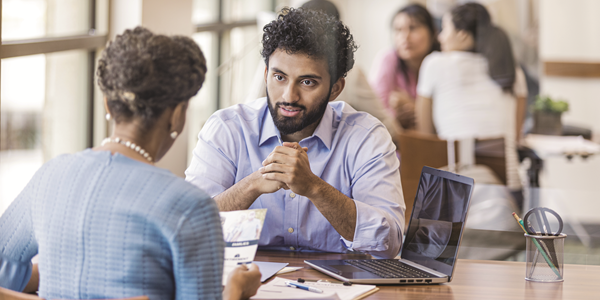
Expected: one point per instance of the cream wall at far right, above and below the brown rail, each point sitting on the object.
(570, 31)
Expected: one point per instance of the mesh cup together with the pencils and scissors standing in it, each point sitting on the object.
(544, 245)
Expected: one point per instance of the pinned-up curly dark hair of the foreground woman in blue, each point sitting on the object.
(142, 73)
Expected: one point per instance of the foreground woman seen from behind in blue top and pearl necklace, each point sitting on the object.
(106, 222)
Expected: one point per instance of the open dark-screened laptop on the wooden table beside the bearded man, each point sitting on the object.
(430, 247)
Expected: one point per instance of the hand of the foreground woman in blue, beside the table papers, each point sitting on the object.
(243, 282)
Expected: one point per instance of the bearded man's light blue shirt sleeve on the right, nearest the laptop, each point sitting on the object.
(377, 194)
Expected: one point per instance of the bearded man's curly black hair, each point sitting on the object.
(314, 33)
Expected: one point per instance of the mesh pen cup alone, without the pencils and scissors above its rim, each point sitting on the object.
(544, 258)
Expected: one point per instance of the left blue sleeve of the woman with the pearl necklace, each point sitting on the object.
(17, 242)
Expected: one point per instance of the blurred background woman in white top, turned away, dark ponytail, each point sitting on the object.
(469, 90)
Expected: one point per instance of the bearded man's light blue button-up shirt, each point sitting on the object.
(350, 150)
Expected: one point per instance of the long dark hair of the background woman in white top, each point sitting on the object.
(490, 41)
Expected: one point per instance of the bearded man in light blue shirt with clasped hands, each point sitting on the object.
(327, 174)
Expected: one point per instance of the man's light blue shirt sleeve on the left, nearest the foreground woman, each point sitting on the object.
(212, 168)
